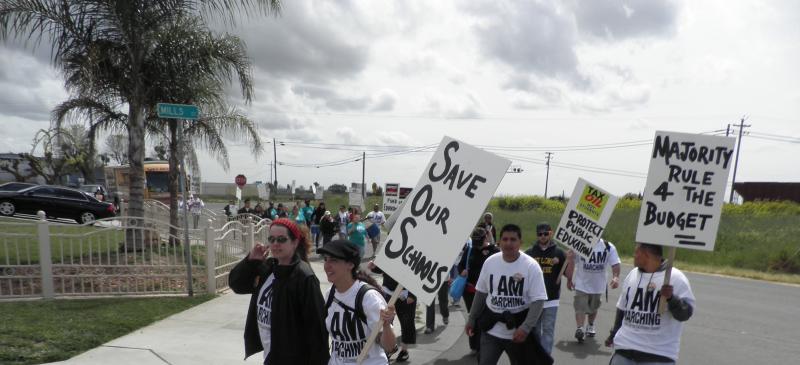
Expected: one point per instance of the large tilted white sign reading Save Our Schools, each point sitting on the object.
(439, 215)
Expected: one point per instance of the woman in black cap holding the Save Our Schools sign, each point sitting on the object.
(354, 306)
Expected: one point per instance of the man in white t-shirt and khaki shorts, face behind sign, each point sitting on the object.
(589, 283)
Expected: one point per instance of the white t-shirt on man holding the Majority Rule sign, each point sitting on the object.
(643, 329)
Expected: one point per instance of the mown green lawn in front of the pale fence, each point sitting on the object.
(39, 331)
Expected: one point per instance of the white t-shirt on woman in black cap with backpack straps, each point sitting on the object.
(348, 333)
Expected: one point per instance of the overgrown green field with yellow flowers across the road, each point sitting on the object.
(762, 237)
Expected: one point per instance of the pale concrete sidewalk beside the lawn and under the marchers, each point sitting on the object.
(211, 333)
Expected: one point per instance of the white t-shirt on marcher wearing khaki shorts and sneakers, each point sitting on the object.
(590, 276)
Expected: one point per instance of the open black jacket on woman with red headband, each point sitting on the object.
(298, 311)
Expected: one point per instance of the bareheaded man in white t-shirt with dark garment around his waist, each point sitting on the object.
(508, 302)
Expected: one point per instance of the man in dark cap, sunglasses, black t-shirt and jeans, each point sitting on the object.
(550, 258)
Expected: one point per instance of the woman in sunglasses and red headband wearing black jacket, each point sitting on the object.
(285, 299)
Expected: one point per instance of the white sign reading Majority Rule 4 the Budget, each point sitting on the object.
(685, 190)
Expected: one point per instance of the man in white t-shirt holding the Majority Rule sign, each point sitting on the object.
(641, 335)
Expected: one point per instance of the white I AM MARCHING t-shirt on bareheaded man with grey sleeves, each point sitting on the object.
(510, 286)
